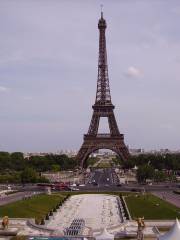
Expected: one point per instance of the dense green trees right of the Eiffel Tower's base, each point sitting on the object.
(157, 167)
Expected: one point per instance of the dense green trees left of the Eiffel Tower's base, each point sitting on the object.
(14, 168)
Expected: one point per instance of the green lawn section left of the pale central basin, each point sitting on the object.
(36, 207)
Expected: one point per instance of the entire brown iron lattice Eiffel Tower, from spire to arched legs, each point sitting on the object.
(103, 107)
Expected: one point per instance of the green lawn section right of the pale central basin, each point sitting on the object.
(151, 207)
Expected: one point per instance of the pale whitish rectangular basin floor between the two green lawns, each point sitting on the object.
(98, 210)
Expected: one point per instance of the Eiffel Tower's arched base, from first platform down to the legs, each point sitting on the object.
(94, 143)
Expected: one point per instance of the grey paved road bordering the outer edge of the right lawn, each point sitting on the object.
(169, 197)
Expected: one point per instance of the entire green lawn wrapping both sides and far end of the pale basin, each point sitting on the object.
(149, 206)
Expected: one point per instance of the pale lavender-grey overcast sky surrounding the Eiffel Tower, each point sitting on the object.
(48, 72)
